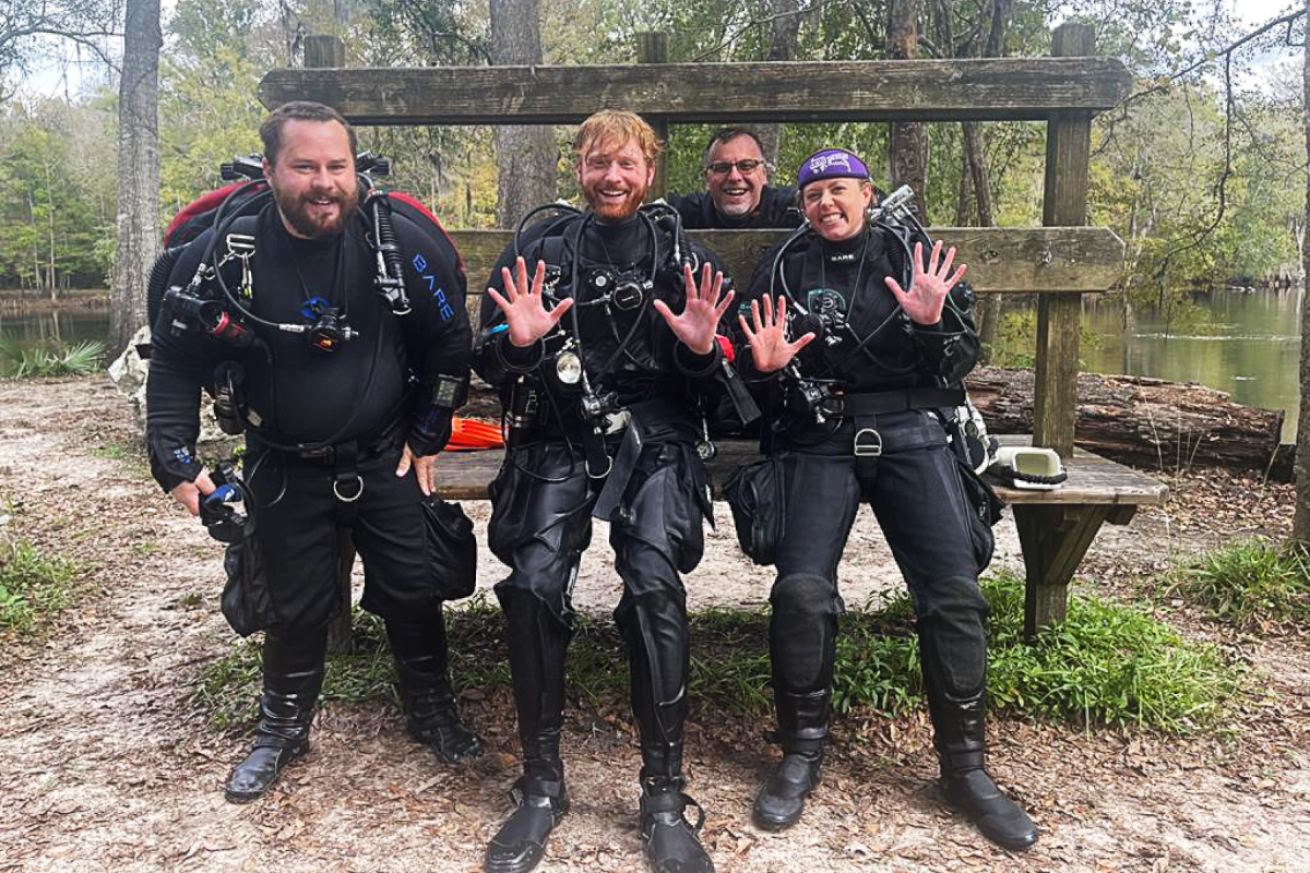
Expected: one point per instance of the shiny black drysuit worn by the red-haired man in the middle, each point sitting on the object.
(548, 490)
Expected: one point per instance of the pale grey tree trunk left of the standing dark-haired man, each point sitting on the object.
(138, 171)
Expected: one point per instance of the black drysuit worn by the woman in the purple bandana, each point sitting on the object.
(868, 348)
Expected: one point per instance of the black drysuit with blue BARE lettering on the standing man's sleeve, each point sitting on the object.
(326, 424)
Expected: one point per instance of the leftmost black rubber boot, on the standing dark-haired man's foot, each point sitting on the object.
(293, 677)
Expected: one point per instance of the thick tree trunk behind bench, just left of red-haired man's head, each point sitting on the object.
(526, 155)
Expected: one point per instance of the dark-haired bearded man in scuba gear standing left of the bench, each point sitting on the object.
(335, 438)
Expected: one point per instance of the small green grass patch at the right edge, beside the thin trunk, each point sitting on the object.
(1249, 584)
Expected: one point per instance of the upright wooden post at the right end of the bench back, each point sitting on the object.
(1059, 317)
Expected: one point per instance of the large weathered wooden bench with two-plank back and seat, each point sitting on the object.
(1059, 262)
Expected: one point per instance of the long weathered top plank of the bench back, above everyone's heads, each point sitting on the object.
(969, 90)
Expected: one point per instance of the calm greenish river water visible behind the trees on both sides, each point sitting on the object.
(1246, 344)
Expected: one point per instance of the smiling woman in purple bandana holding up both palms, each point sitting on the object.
(859, 340)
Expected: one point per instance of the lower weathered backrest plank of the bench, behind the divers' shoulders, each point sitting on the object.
(1028, 260)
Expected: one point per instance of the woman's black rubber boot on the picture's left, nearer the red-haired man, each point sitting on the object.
(802, 732)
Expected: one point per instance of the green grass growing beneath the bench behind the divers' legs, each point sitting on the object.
(1108, 665)
